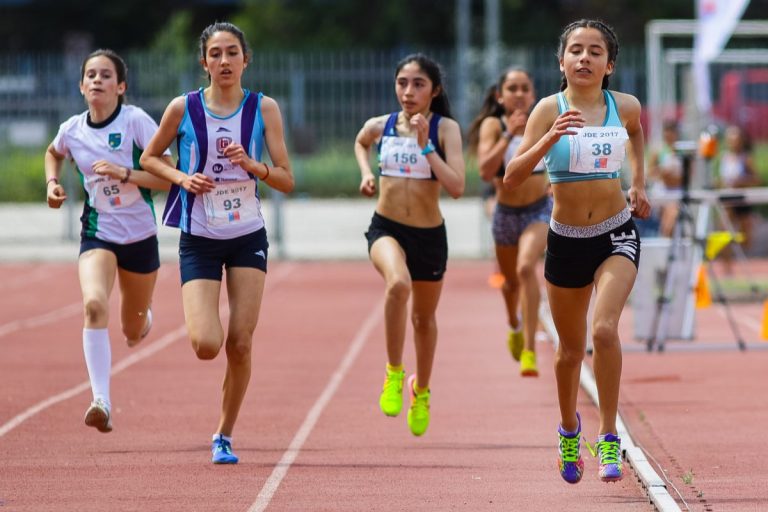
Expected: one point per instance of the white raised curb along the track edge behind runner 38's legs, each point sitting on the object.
(653, 484)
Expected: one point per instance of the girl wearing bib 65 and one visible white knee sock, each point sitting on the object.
(119, 234)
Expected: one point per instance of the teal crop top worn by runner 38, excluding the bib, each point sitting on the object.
(557, 159)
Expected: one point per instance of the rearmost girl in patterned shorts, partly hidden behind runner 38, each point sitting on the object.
(522, 214)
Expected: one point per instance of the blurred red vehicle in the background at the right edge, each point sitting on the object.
(743, 101)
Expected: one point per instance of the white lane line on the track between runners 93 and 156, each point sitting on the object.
(289, 456)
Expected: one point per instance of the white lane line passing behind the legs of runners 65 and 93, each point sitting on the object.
(138, 356)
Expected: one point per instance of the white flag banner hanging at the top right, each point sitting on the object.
(716, 21)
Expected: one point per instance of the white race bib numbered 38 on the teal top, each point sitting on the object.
(597, 149)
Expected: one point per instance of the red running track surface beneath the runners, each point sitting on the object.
(310, 435)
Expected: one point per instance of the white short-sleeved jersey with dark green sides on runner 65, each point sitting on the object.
(116, 212)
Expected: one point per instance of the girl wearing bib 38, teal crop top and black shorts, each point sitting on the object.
(583, 133)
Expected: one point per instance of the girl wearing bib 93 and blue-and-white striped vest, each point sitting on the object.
(221, 131)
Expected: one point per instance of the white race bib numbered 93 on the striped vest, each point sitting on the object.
(230, 202)
